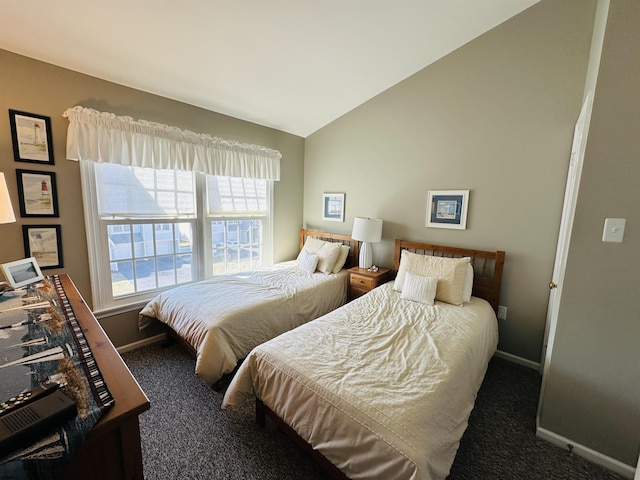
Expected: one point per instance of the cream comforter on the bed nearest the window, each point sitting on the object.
(225, 317)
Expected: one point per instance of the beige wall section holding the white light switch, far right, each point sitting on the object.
(592, 390)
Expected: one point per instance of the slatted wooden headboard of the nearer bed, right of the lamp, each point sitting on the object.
(487, 266)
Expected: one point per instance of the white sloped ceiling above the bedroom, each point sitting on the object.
(294, 65)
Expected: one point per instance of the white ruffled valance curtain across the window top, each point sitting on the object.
(106, 137)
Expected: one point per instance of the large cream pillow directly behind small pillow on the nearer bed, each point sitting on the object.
(451, 274)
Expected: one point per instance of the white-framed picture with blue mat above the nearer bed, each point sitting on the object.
(447, 209)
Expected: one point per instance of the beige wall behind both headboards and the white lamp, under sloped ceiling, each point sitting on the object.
(495, 117)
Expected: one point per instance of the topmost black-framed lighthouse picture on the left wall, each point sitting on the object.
(31, 136)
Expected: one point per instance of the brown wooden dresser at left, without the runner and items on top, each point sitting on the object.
(112, 449)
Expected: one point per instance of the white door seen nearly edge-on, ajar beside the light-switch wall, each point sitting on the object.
(566, 224)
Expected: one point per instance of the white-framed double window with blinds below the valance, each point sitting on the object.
(150, 230)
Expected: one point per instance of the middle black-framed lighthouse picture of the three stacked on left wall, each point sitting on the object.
(37, 193)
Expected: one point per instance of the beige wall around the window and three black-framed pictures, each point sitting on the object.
(36, 87)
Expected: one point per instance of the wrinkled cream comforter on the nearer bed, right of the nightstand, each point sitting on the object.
(382, 387)
